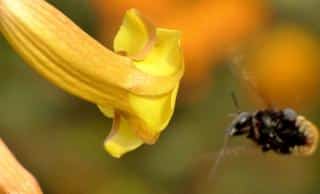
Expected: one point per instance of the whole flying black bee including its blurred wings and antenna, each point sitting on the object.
(280, 130)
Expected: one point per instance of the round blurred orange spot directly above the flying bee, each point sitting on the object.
(285, 65)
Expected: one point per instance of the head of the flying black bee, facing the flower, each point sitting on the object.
(241, 124)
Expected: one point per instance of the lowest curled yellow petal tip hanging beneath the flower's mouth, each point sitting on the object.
(122, 138)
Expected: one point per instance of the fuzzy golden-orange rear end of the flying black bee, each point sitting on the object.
(312, 135)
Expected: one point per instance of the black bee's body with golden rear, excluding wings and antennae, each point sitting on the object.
(282, 131)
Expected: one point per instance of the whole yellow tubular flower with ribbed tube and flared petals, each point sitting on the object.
(136, 85)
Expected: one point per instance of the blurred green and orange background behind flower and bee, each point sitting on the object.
(59, 138)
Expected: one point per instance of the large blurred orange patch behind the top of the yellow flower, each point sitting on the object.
(209, 27)
